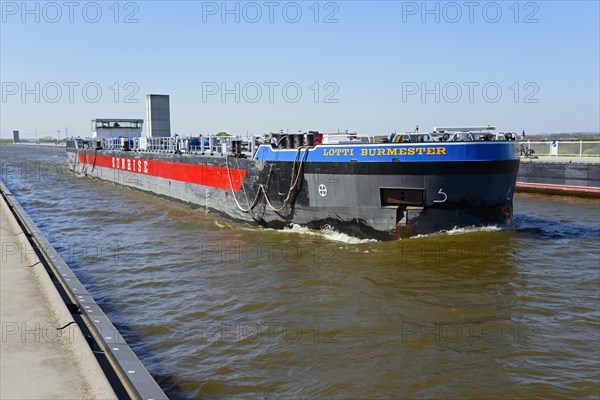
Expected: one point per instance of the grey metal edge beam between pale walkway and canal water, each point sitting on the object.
(124, 370)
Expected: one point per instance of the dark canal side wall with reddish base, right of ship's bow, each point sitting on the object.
(560, 175)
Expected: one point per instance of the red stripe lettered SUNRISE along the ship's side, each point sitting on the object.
(205, 175)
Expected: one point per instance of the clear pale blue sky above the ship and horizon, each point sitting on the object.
(366, 66)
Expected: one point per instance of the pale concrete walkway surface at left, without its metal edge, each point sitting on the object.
(37, 361)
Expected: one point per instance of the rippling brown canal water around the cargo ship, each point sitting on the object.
(218, 309)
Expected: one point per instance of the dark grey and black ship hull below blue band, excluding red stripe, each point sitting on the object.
(368, 200)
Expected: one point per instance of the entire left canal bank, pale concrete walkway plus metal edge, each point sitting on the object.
(57, 343)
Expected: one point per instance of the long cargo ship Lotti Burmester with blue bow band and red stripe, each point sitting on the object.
(386, 187)
